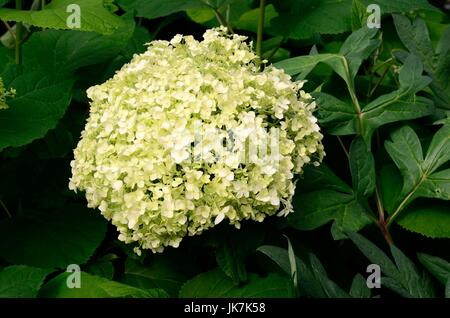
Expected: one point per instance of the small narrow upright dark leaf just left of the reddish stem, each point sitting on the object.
(362, 167)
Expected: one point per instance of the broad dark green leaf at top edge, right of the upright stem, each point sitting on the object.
(303, 19)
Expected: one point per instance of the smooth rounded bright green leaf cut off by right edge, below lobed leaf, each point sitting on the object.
(429, 219)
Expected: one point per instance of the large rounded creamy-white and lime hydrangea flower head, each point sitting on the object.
(173, 142)
